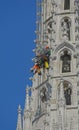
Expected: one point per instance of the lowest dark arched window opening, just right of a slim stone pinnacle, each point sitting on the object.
(67, 92)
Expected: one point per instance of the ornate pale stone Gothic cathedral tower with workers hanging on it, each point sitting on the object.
(54, 100)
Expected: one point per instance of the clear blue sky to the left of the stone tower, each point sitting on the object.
(17, 26)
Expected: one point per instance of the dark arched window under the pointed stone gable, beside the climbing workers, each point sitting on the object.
(66, 62)
